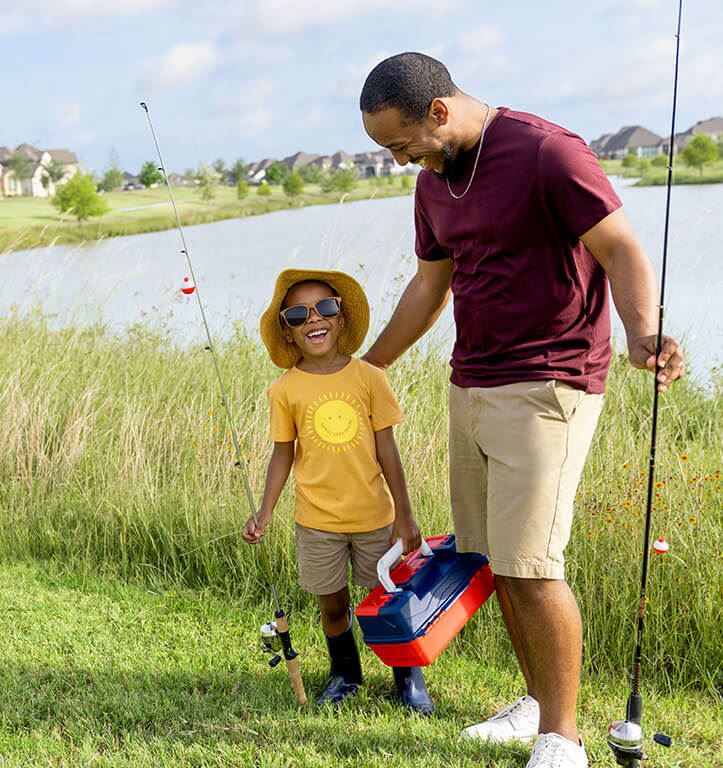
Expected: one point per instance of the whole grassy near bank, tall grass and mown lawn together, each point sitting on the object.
(131, 607)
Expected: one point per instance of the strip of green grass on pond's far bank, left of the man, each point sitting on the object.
(31, 222)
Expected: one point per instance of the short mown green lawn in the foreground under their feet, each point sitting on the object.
(99, 673)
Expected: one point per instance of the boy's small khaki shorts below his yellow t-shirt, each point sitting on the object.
(324, 558)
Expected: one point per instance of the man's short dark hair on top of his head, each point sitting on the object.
(408, 82)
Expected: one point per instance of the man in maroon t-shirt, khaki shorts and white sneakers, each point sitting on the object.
(515, 218)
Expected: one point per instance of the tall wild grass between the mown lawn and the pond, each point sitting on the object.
(115, 457)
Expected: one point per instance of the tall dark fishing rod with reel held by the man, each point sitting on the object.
(625, 737)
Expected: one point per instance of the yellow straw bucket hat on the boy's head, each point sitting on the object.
(354, 309)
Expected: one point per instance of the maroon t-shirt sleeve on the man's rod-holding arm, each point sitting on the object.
(573, 182)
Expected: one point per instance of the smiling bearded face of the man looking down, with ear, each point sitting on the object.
(427, 143)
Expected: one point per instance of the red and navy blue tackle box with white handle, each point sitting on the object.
(416, 610)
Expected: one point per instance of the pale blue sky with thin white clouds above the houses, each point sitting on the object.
(256, 78)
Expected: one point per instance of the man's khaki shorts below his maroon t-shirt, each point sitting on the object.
(516, 453)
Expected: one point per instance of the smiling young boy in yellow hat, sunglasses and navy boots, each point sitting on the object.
(332, 417)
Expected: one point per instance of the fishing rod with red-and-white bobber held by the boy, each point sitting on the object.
(275, 634)
